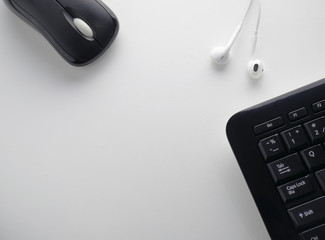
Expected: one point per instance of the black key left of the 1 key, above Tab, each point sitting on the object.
(271, 147)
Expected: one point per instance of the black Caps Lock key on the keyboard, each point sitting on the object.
(296, 189)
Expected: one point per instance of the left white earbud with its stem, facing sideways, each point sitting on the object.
(220, 55)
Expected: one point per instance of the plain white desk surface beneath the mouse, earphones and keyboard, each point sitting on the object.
(134, 145)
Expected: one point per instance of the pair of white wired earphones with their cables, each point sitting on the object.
(220, 55)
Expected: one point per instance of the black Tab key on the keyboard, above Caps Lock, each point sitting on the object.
(287, 168)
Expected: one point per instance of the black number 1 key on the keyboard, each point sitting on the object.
(295, 138)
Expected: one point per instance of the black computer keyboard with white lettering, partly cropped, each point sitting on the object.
(280, 148)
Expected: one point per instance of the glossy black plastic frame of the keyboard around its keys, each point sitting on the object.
(244, 142)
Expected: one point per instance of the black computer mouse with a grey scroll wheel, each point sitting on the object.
(80, 30)
